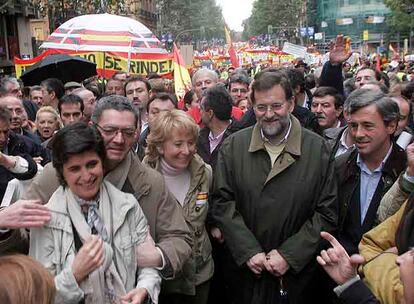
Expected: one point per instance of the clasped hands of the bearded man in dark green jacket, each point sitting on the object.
(273, 262)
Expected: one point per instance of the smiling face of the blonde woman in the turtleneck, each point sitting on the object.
(178, 149)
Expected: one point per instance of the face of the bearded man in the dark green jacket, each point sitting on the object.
(274, 121)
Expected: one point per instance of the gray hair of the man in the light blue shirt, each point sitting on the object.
(361, 98)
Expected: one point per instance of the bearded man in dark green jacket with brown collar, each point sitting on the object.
(274, 192)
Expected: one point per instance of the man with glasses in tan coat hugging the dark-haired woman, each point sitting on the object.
(116, 120)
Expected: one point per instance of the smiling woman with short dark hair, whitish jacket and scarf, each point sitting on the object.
(89, 244)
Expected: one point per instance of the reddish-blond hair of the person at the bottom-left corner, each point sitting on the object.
(25, 281)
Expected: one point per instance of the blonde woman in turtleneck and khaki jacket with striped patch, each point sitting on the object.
(172, 151)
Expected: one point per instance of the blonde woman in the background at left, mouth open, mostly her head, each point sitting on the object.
(47, 122)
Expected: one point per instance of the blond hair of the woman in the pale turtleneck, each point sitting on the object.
(162, 128)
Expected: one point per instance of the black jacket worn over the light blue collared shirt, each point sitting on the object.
(348, 176)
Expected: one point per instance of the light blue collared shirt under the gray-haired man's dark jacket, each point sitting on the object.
(369, 182)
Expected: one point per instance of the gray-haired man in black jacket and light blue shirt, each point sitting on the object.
(366, 174)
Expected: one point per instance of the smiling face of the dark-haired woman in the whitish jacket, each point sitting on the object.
(83, 174)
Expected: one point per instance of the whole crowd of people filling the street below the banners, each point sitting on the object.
(288, 186)
